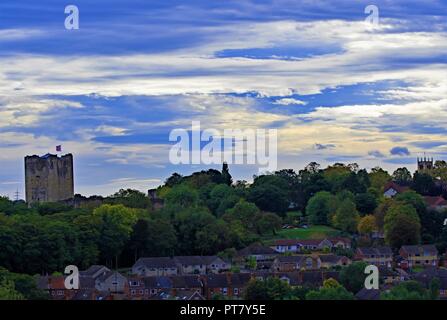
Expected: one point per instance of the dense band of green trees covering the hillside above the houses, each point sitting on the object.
(207, 213)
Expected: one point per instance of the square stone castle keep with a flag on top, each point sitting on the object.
(49, 178)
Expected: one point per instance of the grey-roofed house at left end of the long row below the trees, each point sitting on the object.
(158, 266)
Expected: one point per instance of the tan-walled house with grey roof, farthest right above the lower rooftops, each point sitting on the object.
(419, 255)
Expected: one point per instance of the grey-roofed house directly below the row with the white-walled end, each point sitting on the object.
(296, 263)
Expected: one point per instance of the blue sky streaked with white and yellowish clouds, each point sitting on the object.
(335, 87)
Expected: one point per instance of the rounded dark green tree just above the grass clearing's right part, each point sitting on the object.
(321, 208)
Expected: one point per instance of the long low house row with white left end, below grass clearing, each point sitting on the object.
(292, 245)
